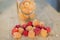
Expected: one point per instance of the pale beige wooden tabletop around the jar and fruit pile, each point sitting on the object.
(9, 18)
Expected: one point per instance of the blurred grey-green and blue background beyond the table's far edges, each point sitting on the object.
(6, 3)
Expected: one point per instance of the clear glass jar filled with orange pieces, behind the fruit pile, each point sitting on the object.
(26, 10)
